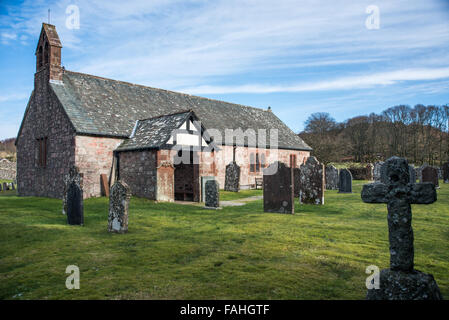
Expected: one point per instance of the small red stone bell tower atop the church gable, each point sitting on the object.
(48, 53)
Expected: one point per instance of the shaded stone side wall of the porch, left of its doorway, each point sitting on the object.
(138, 170)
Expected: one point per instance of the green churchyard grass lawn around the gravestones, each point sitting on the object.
(175, 251)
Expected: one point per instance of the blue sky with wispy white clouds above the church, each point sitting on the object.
(299, 57)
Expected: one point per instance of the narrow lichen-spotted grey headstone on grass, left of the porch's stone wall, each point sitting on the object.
(120, 194)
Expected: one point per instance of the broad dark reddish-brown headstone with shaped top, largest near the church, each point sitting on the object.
(278, 189)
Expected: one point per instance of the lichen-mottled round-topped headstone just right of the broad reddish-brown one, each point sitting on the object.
(311, 182)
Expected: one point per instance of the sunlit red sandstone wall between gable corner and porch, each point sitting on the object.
(94, 156)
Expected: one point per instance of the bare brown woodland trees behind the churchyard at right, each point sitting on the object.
(418, 133)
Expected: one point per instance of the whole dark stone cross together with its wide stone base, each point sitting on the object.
(401, 281)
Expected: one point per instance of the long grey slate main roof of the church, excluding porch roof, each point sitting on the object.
(105, 107)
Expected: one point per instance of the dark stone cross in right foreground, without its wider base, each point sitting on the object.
(398, 193)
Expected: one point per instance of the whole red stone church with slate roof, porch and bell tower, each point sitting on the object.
(163, 144)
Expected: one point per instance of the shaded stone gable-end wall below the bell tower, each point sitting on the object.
(45, 118)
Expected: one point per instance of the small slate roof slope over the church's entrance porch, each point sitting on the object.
(154, 132)
